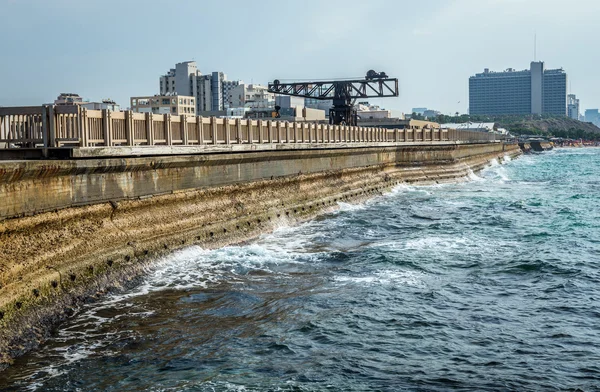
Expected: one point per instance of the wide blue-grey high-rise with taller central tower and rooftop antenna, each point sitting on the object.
(533, 91)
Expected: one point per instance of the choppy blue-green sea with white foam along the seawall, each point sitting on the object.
(493, 284)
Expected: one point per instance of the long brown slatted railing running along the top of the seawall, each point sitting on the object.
(76, 127)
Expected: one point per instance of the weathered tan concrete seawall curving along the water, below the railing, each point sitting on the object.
(72, 229)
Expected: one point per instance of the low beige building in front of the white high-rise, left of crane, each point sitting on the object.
(164, 104)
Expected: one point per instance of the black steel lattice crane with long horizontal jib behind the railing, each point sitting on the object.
(341, 92)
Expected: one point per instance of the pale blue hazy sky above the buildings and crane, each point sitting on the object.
(118, 49)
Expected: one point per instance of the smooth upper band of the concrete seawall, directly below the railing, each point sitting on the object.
(30, 187)
